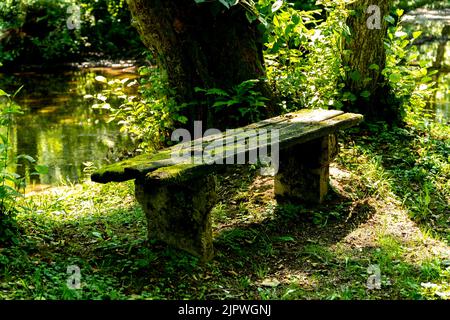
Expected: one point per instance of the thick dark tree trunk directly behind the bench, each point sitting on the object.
(200, 45)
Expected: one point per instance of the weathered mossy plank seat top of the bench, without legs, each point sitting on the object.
(295, 128)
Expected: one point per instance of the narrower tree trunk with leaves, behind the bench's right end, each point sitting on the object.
(365, 58)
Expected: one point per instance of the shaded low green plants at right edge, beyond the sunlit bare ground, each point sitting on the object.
(415, 162)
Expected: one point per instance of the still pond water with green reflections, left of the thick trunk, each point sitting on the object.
(59, 128)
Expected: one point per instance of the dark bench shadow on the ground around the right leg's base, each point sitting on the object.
(291, 226)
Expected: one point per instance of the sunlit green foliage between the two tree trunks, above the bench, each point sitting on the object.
(303, 53)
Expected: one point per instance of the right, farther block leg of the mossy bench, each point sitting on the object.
(303, 173)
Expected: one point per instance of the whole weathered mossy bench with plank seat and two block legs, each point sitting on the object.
(176, 185)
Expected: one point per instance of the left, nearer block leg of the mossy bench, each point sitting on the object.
(179, 213)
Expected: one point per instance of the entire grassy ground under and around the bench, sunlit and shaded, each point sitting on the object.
(389, 208)
